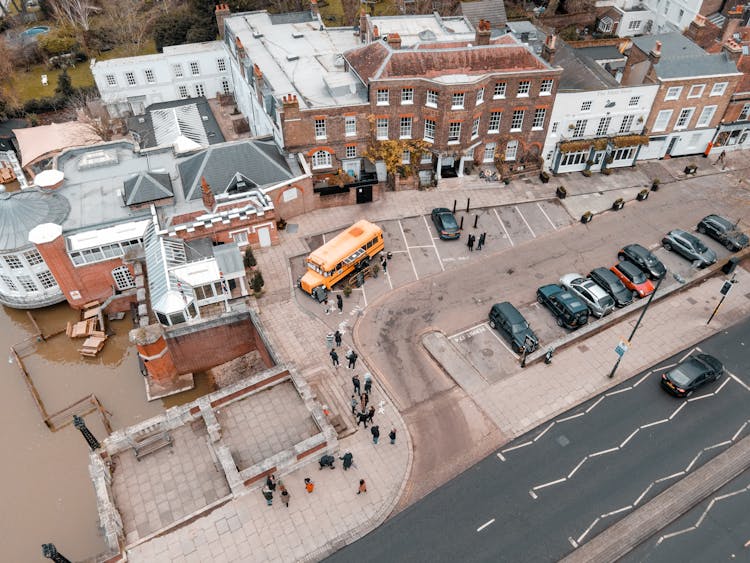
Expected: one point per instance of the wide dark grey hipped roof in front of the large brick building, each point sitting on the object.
(257, 162)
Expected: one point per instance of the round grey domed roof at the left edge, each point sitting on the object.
(22, 211)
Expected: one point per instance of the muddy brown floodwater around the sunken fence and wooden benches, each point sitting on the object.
(47, 495)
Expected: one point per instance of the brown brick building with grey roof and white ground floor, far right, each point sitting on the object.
(695, 88)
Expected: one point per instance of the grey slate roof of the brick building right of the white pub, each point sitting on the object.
(680, 57)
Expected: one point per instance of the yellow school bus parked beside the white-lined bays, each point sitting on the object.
(343, 254)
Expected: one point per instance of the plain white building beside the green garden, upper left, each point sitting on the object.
(129, 84)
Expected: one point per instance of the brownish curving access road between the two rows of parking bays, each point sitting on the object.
(449, 431)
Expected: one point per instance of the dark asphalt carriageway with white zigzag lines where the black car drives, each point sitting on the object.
(567, 480)
